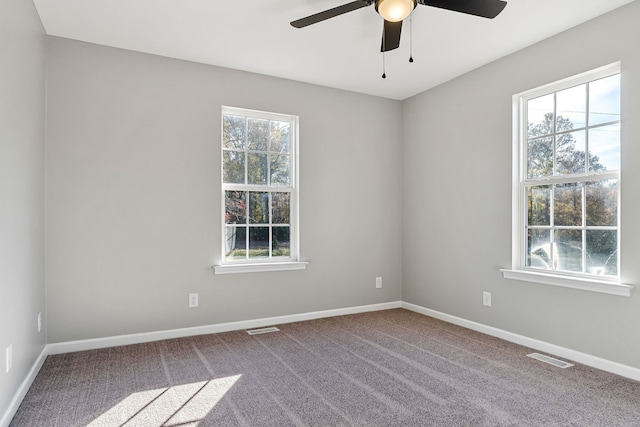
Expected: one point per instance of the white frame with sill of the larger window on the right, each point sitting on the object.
(518, 270)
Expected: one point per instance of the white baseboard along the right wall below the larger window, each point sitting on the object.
(576, 356)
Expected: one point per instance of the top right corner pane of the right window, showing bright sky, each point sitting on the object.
(604, 100)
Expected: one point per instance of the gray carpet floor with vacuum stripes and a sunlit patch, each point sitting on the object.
(388, 368)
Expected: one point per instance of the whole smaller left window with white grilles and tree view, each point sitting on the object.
(259, 191)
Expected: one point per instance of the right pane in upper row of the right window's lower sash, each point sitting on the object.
(602, 203)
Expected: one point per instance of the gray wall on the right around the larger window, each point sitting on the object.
(457, 204)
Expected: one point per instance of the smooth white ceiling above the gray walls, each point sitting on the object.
(344, 52)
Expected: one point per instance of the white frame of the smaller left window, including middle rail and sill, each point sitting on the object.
(267, 264)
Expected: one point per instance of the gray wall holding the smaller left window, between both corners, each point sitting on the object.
(133, 195)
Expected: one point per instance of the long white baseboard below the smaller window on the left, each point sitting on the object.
(92, 344)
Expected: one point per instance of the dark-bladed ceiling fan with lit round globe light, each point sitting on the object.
(395, 11)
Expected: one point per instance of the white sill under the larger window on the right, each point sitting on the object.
(585, 284)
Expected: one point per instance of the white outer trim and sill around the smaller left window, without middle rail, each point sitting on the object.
(272, 264)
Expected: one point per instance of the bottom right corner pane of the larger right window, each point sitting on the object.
(602, 250)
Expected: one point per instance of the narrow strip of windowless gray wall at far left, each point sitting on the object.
(22, 93)
